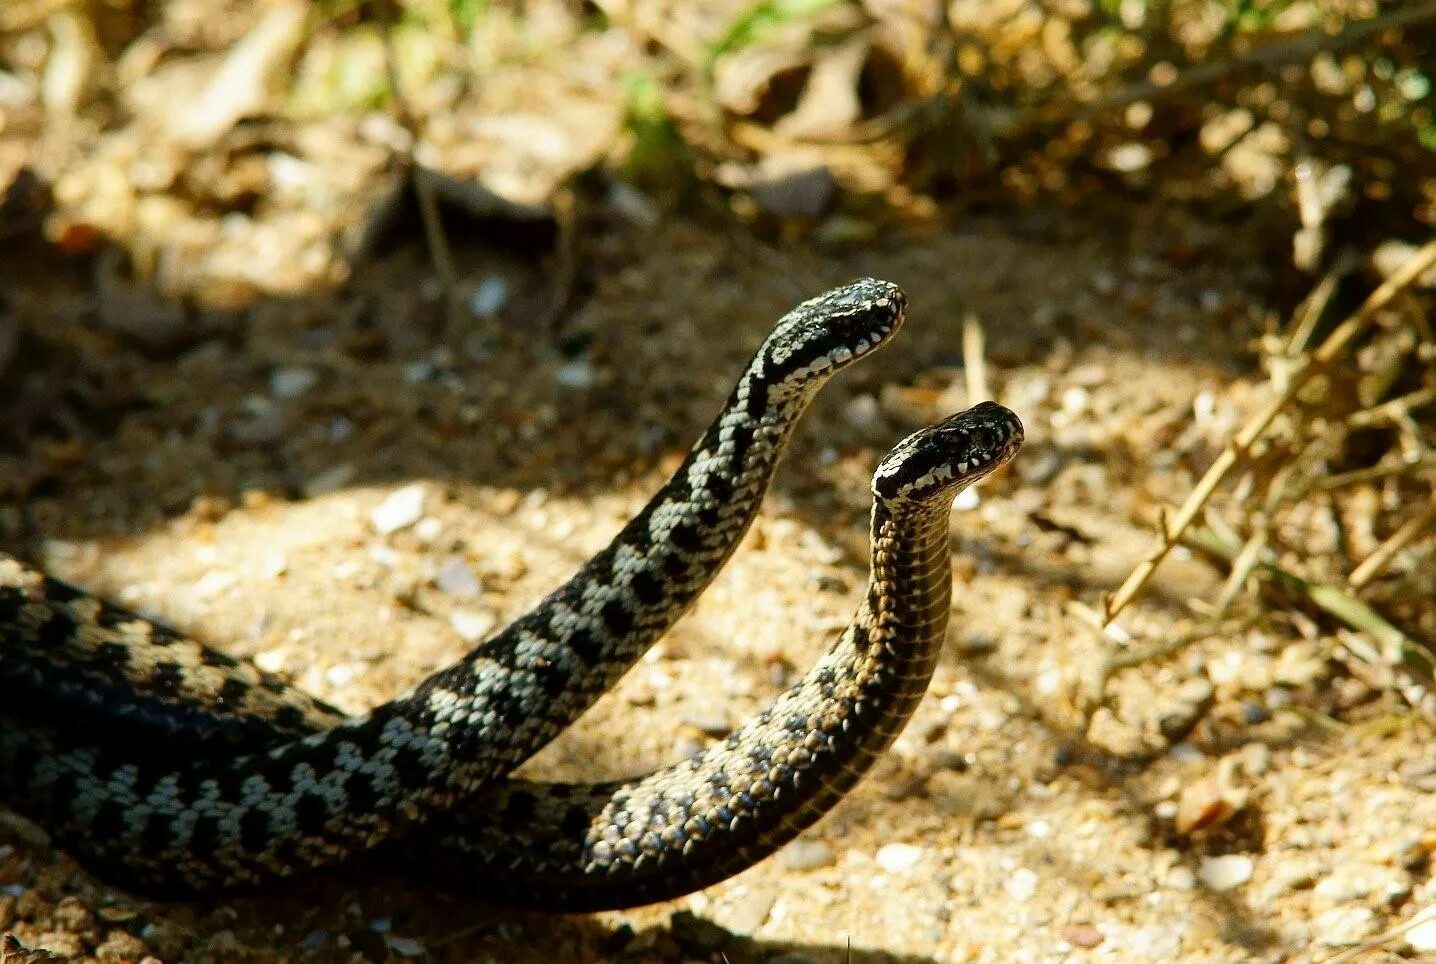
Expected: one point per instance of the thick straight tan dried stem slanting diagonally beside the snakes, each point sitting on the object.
(1330, 350)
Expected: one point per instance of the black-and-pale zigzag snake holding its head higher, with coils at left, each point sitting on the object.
(197, 822)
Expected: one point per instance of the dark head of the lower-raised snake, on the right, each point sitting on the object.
(947, 458)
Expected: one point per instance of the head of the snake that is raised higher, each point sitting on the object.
(829, 333)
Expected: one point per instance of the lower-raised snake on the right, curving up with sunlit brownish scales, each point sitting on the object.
(591, 847)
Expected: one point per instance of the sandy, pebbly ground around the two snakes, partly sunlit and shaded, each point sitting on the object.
(232, 486)
